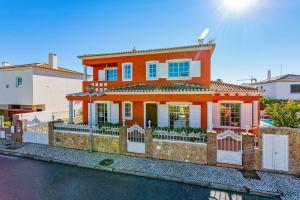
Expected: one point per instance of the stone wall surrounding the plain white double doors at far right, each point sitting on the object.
(293, 146)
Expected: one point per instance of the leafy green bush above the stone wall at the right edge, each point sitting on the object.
(284, 114)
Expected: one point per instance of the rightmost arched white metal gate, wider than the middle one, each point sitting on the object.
(229, 148)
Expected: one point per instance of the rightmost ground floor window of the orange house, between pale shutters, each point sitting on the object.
(230, 114)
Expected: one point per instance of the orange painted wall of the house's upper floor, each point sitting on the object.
(139, 66)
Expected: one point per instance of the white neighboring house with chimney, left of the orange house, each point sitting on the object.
(37, 87)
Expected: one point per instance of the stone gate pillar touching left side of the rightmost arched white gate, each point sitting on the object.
(212, 148)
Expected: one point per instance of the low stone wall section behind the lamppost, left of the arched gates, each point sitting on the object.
(101, 143)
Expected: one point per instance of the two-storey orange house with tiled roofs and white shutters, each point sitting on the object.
(169, 87)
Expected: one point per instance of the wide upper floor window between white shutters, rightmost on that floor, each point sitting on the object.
(179, 69)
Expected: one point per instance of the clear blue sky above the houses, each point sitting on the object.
(265, 36)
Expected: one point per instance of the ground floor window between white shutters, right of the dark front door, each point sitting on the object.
(179, 116)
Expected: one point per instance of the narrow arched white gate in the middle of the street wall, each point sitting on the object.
(135, 139)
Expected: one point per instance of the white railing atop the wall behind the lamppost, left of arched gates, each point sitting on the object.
(82, 128)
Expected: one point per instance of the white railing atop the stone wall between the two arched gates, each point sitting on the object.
(199, 136)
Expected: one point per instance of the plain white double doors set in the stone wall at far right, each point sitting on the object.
(275, 152)
